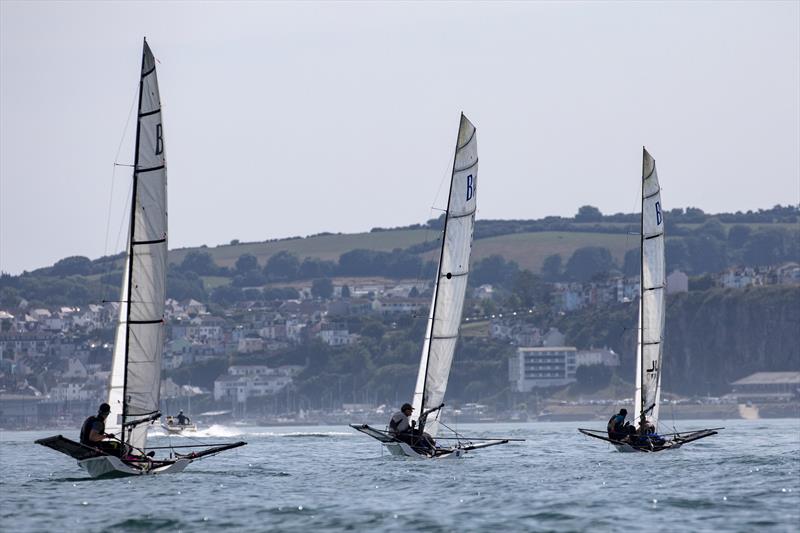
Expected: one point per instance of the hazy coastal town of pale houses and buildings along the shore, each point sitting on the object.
(55, 362)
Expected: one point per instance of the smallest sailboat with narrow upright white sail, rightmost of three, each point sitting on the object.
(650, 337)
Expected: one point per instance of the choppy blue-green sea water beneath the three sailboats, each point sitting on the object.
(334, 479)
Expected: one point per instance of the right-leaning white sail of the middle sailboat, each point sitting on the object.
(451, 281)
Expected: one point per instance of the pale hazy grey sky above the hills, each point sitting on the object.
(285, 119)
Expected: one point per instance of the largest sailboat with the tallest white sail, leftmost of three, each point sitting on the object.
(135, 384)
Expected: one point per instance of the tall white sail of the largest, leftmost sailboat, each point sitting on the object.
(136, 367)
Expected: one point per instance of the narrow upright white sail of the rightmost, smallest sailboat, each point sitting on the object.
(652, 301)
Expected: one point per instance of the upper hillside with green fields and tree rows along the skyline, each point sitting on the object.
(571, 249)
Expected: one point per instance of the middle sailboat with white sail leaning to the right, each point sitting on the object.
(444, 318)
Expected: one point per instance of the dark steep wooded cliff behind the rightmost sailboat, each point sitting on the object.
(712, 337)
